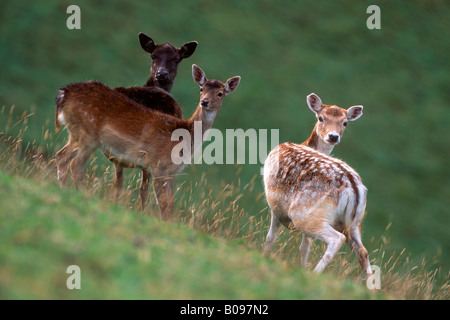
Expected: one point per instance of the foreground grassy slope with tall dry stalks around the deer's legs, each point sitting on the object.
(212, 249)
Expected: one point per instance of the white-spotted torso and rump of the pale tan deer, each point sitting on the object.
(300, 179)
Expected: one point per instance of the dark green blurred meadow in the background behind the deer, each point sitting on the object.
(283, 50)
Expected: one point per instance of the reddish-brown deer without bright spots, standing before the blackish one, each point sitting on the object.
(99, 117)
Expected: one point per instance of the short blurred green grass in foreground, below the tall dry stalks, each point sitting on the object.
(124, 255)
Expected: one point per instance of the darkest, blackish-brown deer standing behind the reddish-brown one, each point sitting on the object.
(155, 93)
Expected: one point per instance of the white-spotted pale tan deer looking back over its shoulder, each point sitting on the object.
(310, 191)
